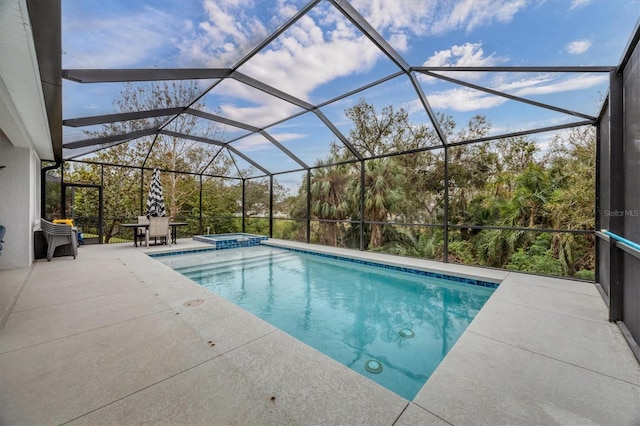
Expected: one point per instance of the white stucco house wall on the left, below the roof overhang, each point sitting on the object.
(19, 203)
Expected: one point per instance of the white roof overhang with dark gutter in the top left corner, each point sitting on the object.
(30, 76)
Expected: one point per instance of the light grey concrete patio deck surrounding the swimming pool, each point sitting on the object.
(109, 338)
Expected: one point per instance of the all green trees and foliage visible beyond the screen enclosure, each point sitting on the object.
(510, 183)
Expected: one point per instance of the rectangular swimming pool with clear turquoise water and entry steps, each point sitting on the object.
(391, 325)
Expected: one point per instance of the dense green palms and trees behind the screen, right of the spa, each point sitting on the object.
(504, 183)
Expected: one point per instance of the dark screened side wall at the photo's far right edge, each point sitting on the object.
(618, 183)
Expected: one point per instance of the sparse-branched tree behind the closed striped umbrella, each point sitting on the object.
(122, 184)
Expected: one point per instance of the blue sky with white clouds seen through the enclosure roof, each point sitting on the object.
(323, 55)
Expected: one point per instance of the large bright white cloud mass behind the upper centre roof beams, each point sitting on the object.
(319, 48)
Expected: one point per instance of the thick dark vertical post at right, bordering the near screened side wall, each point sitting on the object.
(616, 190)
